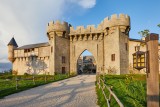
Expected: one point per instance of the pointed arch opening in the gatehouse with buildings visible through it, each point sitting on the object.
(86, 63)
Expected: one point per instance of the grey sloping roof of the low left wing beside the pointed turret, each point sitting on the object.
(34, 45)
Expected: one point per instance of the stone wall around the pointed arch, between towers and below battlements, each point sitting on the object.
(93, 45)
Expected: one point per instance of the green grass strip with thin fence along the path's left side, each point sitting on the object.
(15, 82)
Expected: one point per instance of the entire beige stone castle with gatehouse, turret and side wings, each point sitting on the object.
(109, 43)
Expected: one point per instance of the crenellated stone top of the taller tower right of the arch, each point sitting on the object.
(116, 20)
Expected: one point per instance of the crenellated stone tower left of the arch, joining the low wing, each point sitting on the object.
(58, 35)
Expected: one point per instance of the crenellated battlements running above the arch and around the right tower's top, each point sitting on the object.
(114, 20)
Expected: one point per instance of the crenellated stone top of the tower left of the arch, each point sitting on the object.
(58, 26)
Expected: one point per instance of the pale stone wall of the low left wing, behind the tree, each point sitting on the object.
(21, 58)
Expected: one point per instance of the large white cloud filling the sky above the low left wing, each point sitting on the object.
(27, 19)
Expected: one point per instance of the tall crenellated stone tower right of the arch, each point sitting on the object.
(116, 42)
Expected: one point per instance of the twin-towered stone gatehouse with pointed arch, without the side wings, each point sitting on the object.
(108, 43)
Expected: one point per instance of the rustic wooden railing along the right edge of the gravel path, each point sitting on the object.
(104, 86)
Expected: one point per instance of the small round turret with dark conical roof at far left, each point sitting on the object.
(11, 46)
